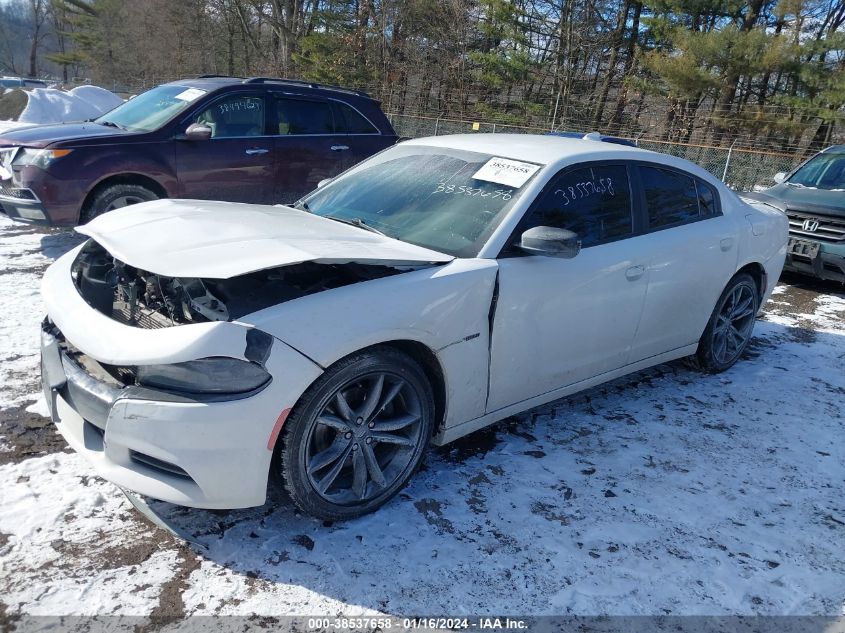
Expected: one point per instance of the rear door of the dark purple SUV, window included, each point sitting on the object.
(307, 146)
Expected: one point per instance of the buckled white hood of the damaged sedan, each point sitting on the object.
(219, 240)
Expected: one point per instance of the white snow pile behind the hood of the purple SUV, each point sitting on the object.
(49, 105)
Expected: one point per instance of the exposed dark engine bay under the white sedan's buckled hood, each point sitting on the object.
(148, 300)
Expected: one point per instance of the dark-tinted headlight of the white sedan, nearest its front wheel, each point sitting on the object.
(206, 375)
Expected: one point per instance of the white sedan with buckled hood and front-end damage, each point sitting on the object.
(194, 349)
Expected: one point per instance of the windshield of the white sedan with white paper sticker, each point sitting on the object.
(444, 199)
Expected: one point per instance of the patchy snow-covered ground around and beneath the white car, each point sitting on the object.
(665, 492)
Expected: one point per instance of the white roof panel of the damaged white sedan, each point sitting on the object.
(532, 148)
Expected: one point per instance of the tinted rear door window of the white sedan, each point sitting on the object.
(671, 197)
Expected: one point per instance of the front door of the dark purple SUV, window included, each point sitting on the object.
(236, 163)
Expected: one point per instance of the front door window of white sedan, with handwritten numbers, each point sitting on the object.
(594, 202)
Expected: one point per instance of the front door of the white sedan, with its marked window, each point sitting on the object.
(561, 321)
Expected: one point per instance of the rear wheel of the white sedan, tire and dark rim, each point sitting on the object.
(730, 327)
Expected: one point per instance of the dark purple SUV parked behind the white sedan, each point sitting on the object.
(218, 138)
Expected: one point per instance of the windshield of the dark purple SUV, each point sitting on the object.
(149, 110)
